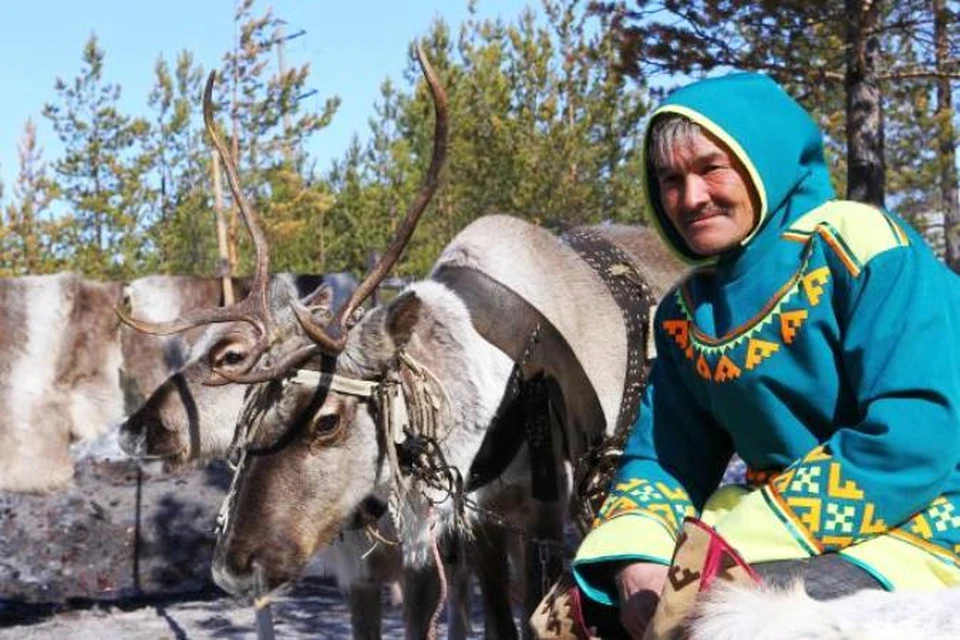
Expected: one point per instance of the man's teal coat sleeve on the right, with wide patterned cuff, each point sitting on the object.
(899, 328)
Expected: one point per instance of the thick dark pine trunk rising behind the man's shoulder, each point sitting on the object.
(865, 164)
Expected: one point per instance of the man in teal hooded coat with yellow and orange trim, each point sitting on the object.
(816, 338)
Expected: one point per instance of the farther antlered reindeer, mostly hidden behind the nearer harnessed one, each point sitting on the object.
(184, 418)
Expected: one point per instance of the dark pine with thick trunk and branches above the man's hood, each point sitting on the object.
(819, 51)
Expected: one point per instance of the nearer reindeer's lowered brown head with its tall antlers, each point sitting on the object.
(306, 441)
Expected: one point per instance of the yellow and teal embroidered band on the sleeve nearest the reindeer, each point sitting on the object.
(668, 505)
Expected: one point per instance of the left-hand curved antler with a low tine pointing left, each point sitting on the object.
(254, 308)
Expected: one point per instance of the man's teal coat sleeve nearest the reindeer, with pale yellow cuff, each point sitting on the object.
(674, 458)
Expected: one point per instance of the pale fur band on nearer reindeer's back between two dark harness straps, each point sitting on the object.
(553, 278)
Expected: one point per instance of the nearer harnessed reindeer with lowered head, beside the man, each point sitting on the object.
(470, 391)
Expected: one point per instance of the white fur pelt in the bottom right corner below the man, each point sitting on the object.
(737, 612)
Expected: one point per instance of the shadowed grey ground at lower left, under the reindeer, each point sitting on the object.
(124, 552)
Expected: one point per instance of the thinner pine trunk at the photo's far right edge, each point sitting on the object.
(947, 152)
